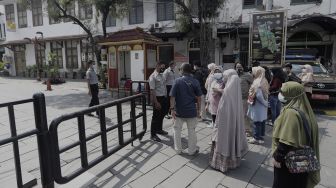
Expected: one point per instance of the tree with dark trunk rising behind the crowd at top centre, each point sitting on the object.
(206, 12)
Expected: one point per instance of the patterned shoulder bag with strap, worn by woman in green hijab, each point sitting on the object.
(303, 160)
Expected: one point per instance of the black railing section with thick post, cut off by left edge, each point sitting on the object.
(40, 131)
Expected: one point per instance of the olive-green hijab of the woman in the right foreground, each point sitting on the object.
(288, 127)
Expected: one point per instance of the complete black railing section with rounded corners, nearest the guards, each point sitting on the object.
(83, 139)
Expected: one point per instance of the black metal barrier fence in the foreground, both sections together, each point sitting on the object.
(48, 145)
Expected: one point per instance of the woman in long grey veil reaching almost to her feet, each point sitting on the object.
(229, 140)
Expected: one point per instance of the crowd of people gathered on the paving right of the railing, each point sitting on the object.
(238, 102)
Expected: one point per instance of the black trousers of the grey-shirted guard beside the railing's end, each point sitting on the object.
(158, 116)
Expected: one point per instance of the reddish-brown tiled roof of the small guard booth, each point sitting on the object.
(129, 36)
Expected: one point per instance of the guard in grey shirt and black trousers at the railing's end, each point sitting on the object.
(159, 99)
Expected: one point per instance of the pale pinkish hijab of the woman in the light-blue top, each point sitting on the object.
(259, 82)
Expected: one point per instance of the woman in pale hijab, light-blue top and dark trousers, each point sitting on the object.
(258, 104)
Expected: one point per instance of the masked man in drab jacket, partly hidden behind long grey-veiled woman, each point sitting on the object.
(246, 79)
